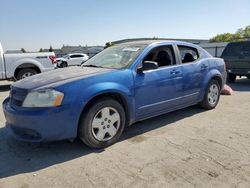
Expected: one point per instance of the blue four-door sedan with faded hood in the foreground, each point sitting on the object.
(121, 85)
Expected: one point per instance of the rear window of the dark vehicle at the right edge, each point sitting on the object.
(237, 49)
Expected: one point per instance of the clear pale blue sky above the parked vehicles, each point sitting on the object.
(34, 24)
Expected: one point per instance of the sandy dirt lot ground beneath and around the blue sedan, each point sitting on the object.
(187, 148)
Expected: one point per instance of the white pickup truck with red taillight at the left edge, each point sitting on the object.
(22, 65)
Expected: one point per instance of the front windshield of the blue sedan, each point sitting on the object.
(116, 57)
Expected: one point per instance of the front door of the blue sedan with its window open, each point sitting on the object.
(160, 90)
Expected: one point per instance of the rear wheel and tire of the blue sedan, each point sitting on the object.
(212, 95)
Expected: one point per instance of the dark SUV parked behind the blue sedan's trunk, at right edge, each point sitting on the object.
(237, 59)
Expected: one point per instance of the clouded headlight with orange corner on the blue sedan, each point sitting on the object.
(43, 98)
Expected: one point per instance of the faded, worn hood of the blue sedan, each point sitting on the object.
(62, 75)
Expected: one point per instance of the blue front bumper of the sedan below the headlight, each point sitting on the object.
(41, 124)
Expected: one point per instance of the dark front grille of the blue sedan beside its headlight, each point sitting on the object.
(17, 96)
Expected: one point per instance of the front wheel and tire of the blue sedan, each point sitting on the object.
(102, 124)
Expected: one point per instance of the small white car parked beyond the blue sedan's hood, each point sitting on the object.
(72, 59)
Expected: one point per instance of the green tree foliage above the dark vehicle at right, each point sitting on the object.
(240, 35)
